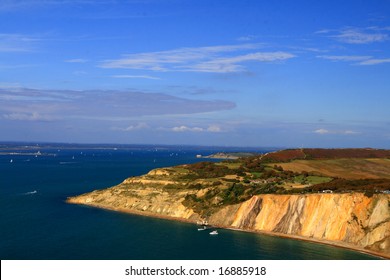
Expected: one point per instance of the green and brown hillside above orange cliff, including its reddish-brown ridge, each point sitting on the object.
(231, 182)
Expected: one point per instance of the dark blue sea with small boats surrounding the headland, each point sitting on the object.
(36, 223)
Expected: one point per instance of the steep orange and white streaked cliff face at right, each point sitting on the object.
(353, 219)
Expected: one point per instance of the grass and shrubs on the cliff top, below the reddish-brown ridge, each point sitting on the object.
(208, 186)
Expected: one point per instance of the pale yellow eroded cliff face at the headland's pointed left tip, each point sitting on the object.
(141, 195)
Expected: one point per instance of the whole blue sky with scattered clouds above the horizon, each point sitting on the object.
(241, 73)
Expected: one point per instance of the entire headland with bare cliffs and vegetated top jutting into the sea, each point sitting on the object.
(299, 197)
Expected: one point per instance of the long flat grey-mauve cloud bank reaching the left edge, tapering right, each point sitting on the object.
(35, 104)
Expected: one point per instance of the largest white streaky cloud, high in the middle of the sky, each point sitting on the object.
(216, 59)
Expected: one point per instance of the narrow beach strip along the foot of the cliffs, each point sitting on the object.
(269, 233)
